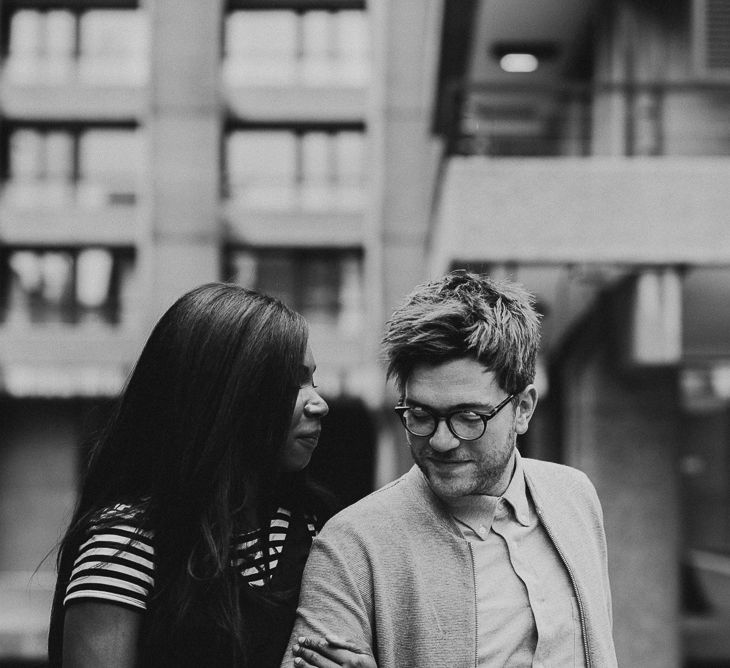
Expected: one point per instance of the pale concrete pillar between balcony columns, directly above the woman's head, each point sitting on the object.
(184, 127)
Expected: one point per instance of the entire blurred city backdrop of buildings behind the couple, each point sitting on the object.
(335, 153)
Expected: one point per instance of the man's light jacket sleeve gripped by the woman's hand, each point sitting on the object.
(336, 594)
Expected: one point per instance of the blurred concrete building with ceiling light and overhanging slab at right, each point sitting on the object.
(586, 155)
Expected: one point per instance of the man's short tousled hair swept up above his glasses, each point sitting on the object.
(465, 315)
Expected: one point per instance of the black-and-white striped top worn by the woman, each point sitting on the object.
(116, 563)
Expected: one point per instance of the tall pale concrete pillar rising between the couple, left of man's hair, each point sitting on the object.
(404, 158)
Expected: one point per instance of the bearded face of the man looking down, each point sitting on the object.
(454, 467)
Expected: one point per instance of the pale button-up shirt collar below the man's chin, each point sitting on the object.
(479, 510)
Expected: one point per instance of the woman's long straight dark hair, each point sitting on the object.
(195, 445)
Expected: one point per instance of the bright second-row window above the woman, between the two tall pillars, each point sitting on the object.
(286, 169)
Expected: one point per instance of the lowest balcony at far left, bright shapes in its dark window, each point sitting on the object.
(70, 324)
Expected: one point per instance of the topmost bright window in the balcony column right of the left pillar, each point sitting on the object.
(286, 47)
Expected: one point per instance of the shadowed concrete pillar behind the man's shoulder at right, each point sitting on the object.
(621, 427)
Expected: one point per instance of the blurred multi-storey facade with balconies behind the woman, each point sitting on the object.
(146, 148)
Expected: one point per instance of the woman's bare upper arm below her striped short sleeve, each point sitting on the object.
(100, 634)
